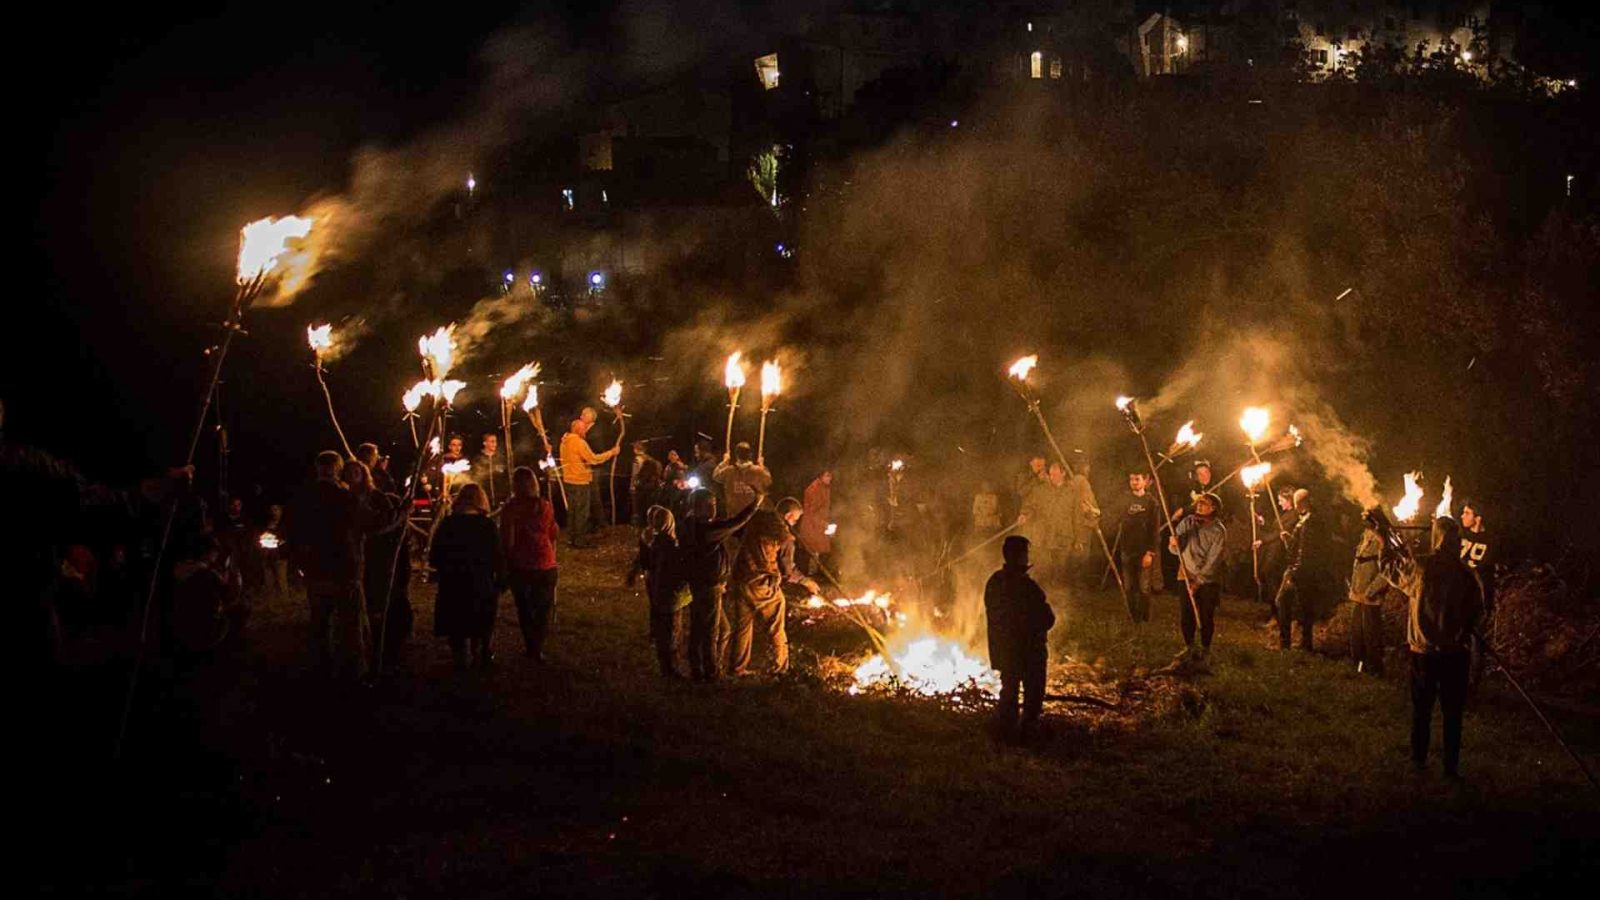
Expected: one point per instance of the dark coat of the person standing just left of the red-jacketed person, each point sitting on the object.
(468, 558)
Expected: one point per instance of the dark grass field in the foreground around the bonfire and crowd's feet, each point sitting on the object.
(1278, 776)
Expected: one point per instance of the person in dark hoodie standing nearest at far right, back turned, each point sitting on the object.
(1446, 605)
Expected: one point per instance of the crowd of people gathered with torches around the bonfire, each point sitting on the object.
(722, 561)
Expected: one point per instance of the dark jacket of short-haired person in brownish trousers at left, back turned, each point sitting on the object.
(327, 531)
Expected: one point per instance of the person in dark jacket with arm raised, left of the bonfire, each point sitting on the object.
(706, 556)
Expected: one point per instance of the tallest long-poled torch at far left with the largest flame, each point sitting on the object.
(262, 244)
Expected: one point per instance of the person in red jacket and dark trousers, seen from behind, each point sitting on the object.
(529, 542)
